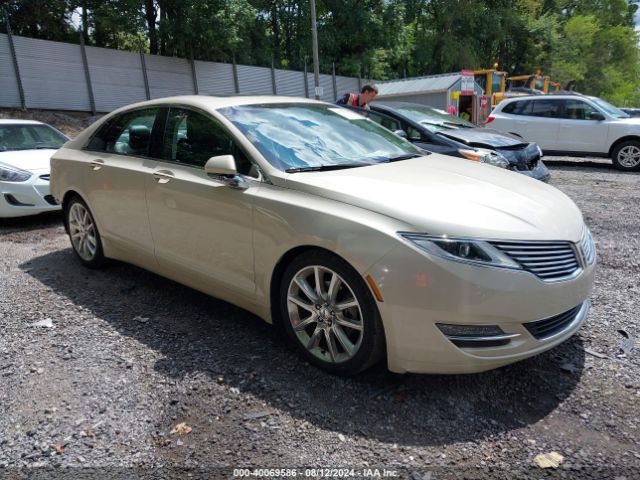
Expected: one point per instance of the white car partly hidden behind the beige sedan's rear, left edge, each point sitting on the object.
(26, 147)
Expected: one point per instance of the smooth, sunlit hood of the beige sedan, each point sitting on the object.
(444, 195)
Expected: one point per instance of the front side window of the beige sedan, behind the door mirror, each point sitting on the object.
(192, 138)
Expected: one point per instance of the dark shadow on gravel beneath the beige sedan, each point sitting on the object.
(199, 335)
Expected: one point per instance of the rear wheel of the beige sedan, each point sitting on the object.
(83, 233)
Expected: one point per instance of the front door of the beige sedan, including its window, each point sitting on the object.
(202, 228)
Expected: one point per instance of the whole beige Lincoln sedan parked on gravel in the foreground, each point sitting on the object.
(359, 244)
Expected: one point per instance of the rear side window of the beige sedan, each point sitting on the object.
(126, 134)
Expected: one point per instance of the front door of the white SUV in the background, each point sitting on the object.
(577, 133)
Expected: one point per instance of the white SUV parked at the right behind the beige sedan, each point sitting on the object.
(572, 124)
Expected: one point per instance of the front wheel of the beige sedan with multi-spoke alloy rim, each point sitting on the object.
(329, 314)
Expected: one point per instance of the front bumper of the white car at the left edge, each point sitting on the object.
(20, 199)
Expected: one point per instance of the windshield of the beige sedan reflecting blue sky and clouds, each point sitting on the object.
(299, 137)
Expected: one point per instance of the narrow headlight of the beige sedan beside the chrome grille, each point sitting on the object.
(464, 250)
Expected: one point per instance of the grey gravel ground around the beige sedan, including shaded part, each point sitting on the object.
(130, 355)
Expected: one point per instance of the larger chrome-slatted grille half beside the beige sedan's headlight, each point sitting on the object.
(549, 261)
